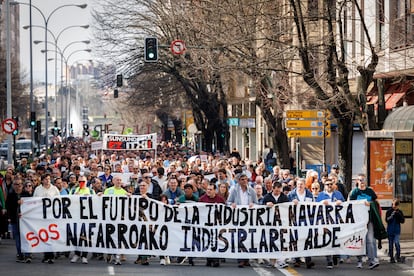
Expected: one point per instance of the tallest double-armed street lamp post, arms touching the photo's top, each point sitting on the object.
(46, 20)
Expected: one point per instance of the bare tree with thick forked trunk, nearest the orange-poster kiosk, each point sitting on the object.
(332, 85)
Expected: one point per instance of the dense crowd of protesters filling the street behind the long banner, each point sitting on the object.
(175, 175)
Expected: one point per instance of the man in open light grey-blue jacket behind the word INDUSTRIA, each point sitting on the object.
(242, 194)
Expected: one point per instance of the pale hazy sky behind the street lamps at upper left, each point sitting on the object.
(59, 19)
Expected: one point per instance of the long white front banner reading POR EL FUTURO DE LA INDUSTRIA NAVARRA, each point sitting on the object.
(136, 225)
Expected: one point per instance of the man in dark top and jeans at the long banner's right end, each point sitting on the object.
(363, 192)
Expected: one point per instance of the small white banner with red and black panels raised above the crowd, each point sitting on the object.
(130, 142)
